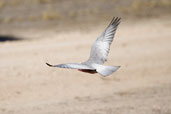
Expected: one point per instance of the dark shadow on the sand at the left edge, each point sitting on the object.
(4, 38)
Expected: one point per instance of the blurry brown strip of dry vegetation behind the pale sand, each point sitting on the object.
(59, 11)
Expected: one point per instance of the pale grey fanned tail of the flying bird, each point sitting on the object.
(105, 70)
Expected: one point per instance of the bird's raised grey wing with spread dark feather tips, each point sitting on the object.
(101, 47)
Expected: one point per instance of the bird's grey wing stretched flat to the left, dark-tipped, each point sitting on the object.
(72, 66)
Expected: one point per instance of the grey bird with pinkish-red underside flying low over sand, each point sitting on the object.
(98, 54)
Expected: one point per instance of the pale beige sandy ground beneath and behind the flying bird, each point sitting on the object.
(141, 86)
